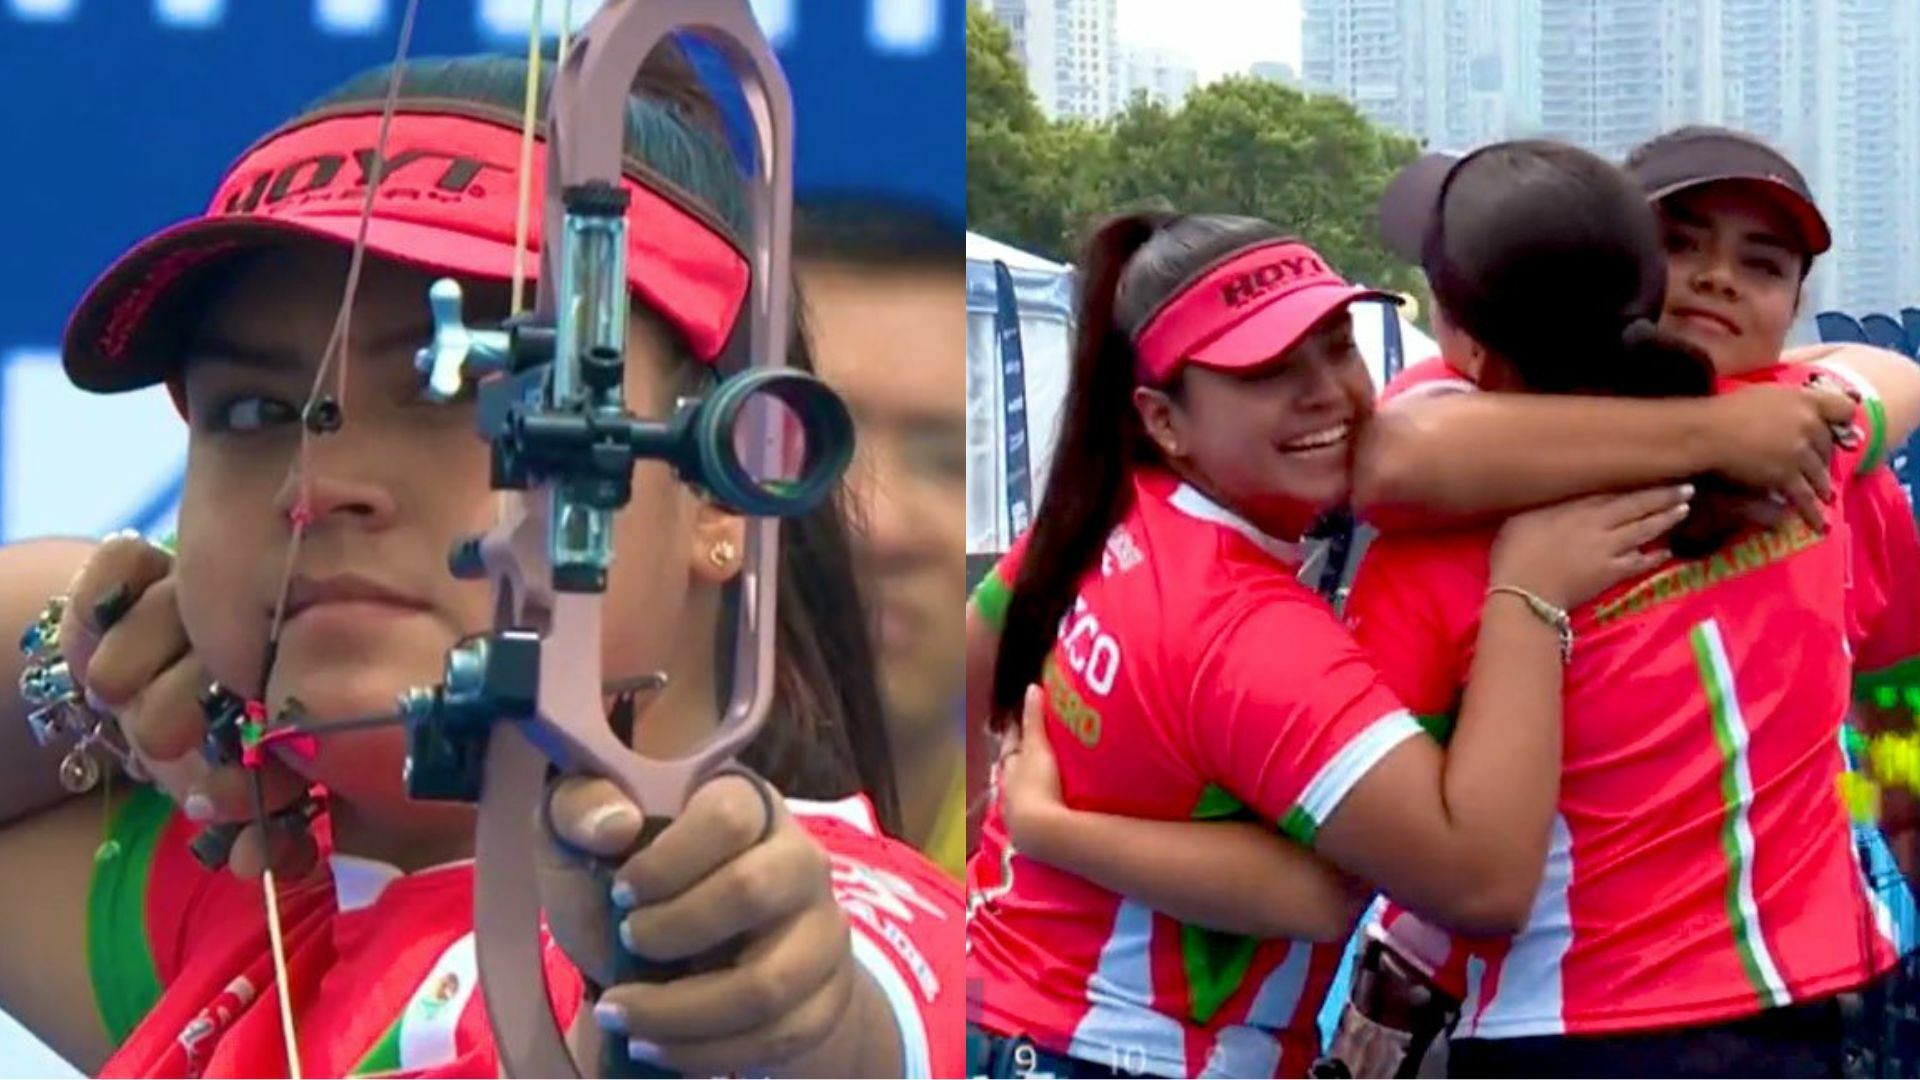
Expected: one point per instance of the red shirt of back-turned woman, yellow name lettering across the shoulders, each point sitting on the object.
(1700, 866)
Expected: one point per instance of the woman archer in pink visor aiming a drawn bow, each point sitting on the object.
(848, 943)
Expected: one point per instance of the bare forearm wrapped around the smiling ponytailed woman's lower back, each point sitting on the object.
(1280, 889)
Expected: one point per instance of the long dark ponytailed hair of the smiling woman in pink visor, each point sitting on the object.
(1130, 268)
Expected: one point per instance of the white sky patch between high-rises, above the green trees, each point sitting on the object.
(1218, 37)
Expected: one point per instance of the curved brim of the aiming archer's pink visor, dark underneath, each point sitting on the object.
(128, 331)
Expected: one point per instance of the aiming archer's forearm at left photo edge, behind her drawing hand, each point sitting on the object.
(30, 574)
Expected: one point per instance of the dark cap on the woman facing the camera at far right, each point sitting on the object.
(1700, 157)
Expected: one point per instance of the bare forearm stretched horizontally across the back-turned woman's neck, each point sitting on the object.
(1474, 456)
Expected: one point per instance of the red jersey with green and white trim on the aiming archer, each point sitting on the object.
(383, 968)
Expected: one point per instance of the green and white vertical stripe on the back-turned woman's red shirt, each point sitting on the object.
(1737, 827)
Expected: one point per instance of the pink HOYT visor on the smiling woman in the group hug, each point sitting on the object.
(1245, 312)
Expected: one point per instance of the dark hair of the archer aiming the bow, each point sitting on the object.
(827, 737)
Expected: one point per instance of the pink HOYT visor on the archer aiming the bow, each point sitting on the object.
(446, 203)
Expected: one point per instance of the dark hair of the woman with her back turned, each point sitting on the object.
(1552, 260)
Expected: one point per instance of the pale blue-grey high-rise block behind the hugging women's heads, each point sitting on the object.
(1833, 84)
